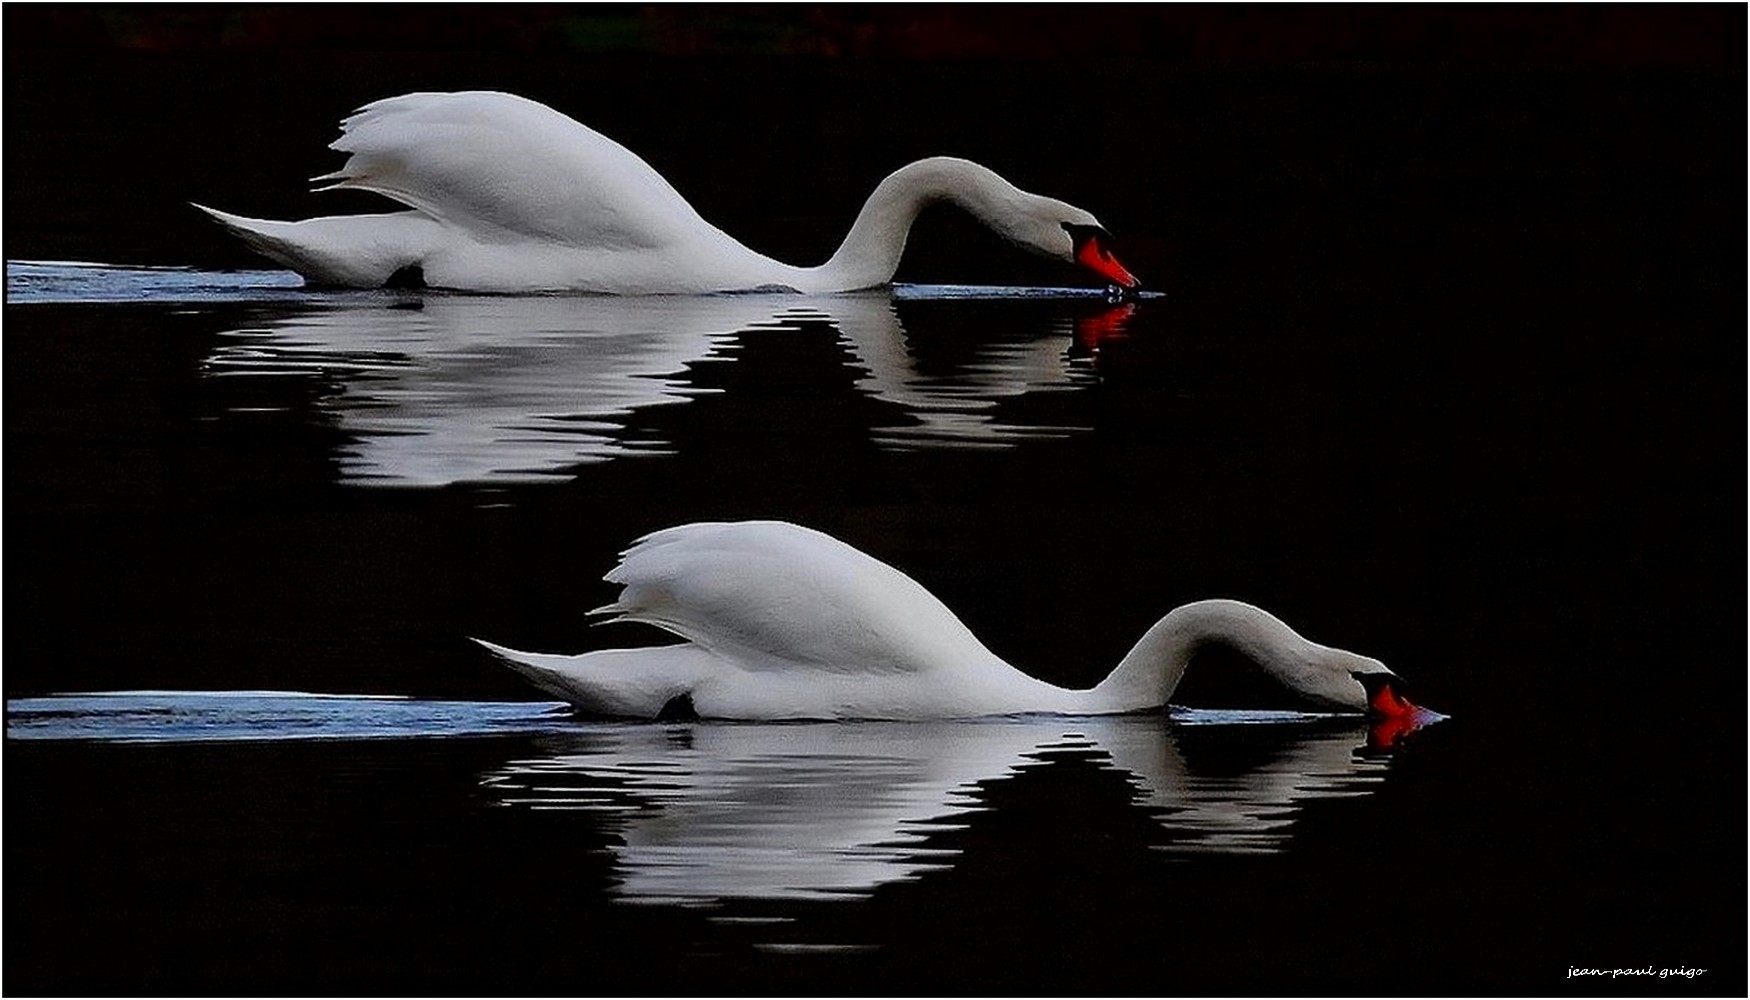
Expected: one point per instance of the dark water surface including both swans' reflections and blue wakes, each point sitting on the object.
(1448, 370)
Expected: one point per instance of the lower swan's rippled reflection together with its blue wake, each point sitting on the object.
(706, 813)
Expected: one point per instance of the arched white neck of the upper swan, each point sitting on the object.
(871, 251)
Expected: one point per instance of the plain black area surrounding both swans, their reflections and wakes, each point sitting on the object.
(1450, 360)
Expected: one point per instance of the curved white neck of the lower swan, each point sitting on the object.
(1152, 670)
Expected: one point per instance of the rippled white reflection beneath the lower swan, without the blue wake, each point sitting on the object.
(823, 810)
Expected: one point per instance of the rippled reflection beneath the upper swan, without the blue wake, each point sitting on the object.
(442, 390)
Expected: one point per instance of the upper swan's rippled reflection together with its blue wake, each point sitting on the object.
(438, 390)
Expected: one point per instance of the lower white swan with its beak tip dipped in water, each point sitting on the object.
(785, 623)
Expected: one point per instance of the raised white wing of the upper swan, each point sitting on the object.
(500, 164)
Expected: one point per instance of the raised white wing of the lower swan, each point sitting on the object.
(773, 596)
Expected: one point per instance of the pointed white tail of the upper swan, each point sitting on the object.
(347, 251)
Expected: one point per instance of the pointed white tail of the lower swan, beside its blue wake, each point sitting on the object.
(619, 684)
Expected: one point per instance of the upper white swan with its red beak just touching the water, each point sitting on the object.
(507, 195)
